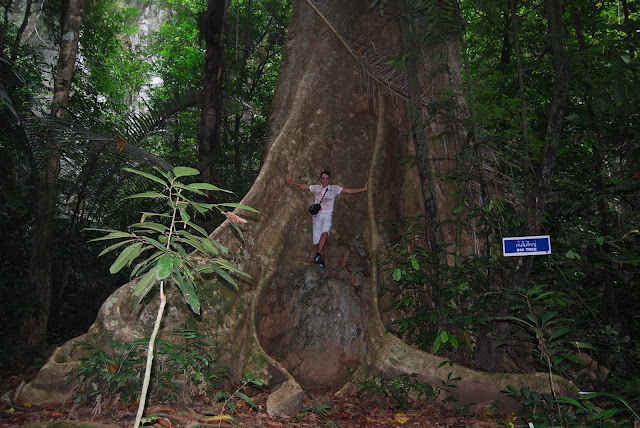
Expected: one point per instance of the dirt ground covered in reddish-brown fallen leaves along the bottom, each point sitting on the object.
(326, 410)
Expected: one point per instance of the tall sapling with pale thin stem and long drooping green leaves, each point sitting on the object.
(161, 243)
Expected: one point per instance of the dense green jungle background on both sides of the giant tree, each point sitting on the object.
(135, 99)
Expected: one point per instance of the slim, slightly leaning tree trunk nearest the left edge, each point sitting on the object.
(40, 264)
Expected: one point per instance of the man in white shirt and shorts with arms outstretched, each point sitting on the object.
(325, 195)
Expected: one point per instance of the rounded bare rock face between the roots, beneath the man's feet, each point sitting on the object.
(315, 323)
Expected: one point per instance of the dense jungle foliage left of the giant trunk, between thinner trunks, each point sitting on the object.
(134, 102)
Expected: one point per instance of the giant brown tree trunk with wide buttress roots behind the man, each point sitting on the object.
(294, 321)
